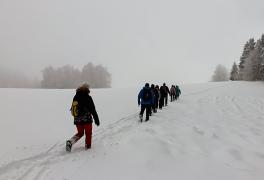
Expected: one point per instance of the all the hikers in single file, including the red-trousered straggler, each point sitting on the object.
(84, 112)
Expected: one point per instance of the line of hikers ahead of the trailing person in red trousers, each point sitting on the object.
(153, 97)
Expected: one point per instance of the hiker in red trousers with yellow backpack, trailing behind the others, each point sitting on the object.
(83, 111)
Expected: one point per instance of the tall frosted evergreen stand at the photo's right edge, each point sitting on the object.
(251, 65)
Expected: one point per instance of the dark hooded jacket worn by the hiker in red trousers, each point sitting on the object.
(87, 111)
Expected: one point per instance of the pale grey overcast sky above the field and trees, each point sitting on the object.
(173, 41)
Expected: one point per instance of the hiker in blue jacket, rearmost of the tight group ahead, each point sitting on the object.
(146, 99)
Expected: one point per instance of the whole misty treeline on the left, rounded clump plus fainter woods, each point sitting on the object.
(64, 77)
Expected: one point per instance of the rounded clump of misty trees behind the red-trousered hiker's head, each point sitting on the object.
(69, 77)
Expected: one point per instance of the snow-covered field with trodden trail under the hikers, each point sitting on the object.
(214, 132)
